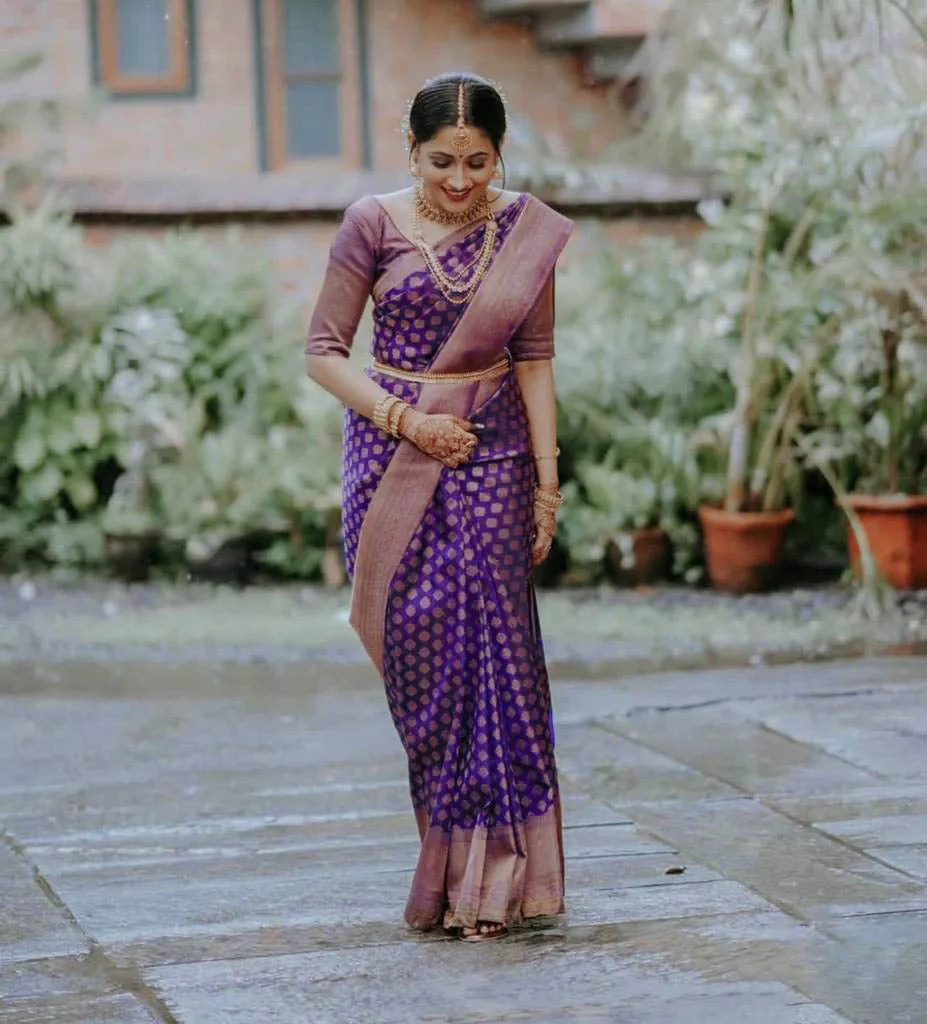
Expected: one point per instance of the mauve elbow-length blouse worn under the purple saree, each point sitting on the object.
(366, 244)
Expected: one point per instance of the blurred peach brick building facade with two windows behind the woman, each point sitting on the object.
(277, 114)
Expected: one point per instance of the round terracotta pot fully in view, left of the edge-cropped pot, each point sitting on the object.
(744, 549)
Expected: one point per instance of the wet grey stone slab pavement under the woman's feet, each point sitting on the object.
(233, 845)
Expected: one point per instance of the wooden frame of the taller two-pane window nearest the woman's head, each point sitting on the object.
(274, 79)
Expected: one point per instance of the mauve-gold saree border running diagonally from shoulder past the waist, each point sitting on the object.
(501, 304)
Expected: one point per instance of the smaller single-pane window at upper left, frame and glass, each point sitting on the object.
(144, 47)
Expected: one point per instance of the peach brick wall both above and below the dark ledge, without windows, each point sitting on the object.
(215, 136)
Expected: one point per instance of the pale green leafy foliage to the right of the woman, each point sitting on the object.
(791, 335)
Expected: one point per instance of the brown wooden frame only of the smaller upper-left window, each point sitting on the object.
(179, 81)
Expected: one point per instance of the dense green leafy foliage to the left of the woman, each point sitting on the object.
(154, 389)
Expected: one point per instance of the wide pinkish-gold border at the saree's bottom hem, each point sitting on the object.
(507, 874)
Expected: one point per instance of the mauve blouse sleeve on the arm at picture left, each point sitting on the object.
(348, 284)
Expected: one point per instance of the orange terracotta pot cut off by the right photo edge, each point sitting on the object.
(897, 530)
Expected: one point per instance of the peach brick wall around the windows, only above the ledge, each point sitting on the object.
(216, 133)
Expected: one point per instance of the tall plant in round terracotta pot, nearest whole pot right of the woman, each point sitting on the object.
(802, 155)
